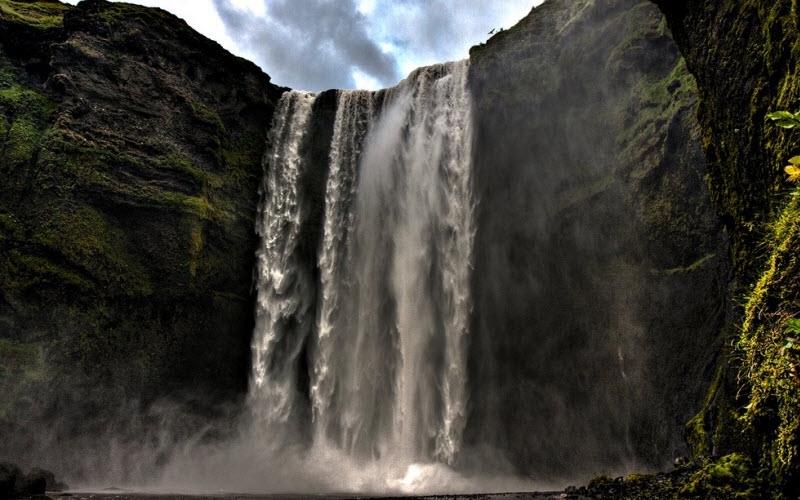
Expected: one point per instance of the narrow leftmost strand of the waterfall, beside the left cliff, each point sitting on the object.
(284, 304)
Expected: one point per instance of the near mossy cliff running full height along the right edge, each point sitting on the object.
(745, 57)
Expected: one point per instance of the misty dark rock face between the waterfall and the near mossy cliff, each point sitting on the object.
(600, 265)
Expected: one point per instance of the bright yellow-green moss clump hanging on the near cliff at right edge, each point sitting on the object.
(770, 361)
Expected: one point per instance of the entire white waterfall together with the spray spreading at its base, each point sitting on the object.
(359, 379)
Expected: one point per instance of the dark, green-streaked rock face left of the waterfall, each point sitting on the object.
(130, 165)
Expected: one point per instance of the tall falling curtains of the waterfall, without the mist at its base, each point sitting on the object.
(384, 327)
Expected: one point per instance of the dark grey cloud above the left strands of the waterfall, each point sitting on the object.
(316, 45)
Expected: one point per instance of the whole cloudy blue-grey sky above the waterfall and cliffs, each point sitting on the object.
(316, 45)
